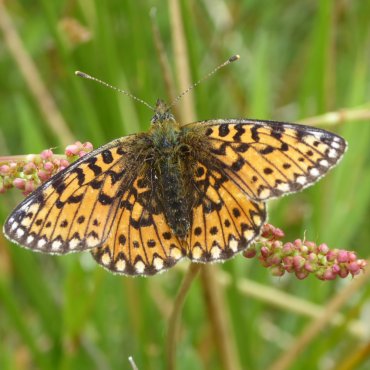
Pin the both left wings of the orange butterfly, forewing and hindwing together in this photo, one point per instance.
(100, 202)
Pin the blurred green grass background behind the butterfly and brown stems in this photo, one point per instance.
(298, 59)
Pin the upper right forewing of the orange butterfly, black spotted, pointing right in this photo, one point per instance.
(268, 159)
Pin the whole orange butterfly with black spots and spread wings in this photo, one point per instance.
(143, 202)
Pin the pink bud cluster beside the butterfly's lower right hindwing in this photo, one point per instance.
(303, 257)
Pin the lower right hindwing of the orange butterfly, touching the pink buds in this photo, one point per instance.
(224, 220)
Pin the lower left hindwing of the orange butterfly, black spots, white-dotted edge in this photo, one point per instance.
(140, 241)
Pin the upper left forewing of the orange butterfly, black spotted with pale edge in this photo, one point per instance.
(74, 210)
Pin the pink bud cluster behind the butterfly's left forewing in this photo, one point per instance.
(26, 173)
